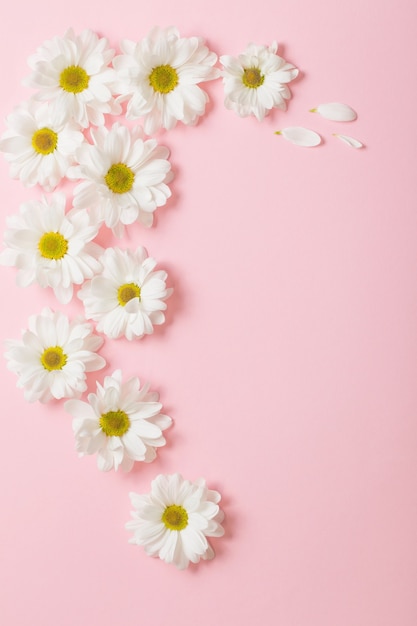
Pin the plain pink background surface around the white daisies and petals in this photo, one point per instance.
(288, 361)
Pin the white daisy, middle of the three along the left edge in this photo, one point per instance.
(50, 247)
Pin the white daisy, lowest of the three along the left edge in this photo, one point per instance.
(53, 356)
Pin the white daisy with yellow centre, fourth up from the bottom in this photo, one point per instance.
(127, 298)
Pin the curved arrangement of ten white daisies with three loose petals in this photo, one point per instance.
(72, 130)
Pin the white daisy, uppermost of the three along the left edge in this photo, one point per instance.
(39, 145)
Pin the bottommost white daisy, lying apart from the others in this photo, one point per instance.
(175, 519)
